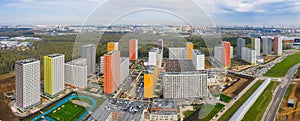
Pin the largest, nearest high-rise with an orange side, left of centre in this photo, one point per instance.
(111, 71)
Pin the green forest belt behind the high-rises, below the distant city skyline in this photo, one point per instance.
(64, 45)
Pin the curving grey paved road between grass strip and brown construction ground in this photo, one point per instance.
(278, 96)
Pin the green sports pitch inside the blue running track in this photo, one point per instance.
(67, 112)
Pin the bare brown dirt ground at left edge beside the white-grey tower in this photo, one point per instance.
(7, 84)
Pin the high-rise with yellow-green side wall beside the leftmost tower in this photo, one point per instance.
(54, 74)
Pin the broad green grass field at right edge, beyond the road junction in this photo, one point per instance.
(280, 69)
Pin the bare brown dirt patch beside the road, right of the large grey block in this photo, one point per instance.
(237, 87)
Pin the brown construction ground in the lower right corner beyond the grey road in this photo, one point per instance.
(290, 109)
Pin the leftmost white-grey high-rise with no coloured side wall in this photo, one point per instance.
(27, 92)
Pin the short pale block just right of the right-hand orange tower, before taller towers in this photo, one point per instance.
(249, 55)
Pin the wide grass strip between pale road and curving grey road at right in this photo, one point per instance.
(257, 110)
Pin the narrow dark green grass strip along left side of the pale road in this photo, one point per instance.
(227, 115)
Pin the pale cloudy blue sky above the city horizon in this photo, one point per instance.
(219, 12)
